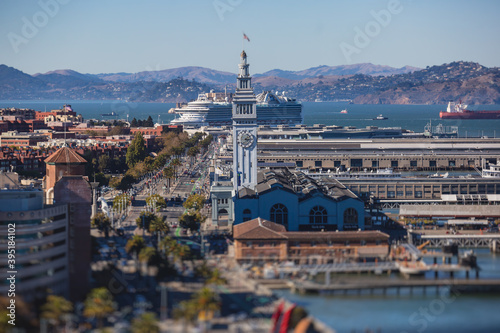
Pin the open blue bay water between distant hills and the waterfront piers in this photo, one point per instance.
(410, 117)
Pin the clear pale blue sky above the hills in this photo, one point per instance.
(107, 36)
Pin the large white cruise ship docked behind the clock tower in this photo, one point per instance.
(272, 109)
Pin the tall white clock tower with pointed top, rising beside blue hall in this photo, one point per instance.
(244, 130)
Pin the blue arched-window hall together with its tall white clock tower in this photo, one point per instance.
(288, 198)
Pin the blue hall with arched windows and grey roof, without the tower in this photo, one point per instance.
(300, 203)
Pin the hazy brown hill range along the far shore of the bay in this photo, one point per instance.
(361, 83)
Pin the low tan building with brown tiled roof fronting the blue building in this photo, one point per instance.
(261, 240)
